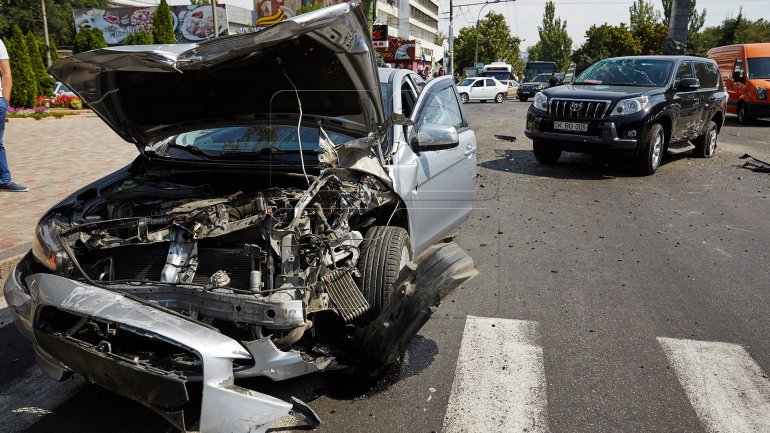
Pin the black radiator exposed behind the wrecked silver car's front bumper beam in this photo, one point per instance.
(145, 262)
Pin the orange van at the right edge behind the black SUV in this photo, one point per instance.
(745, 70)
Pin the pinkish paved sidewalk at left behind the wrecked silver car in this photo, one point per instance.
(53, 157)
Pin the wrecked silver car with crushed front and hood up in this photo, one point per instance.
(289, 212)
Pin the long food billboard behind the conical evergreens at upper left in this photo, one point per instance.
(191, 23)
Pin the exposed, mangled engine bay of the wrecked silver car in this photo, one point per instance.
(253, 264)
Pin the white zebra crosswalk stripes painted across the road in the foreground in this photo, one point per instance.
(500, 384)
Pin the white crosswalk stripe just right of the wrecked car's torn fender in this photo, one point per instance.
(499, 383)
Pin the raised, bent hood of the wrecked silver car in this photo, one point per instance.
(147, 92)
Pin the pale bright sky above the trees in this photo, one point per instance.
(524, 16)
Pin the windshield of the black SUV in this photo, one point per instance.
(628, 72)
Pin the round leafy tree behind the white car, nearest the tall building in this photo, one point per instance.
(494, 41)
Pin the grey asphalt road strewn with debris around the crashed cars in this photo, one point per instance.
(617, 280)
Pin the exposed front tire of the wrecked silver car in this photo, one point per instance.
(384, 251)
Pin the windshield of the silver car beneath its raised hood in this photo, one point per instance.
(242, 141)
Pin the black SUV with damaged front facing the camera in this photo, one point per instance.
(640, 106)
